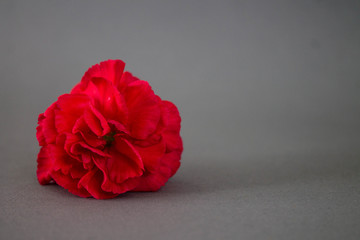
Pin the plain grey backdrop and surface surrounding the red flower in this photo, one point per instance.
(269, 96)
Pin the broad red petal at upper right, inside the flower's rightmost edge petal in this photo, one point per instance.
(144, 109)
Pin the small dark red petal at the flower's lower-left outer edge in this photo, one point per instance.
(45, 164)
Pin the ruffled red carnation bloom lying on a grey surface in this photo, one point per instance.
(110, 135)
